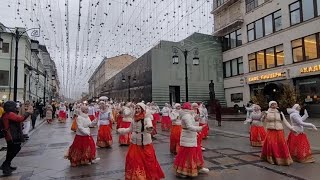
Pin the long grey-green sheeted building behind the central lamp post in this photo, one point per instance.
(154, 77)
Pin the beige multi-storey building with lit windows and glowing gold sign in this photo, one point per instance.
(268, 43)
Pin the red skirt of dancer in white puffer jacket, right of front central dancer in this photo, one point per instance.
(187, 162)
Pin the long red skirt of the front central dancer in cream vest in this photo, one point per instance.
(142, 163)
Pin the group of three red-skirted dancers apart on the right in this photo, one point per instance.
(275, 148)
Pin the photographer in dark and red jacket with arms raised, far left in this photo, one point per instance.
(13, 133)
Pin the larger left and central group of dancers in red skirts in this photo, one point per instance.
(136, 125)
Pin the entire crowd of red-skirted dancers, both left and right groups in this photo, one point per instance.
(136, 125)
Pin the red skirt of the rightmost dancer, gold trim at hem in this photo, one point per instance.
(299, 148)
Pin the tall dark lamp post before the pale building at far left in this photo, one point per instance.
(17, 36)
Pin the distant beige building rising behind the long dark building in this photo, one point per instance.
(106, 70)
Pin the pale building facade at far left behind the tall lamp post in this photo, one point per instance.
(33, 78)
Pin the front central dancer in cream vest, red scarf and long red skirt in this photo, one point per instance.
(141, 160)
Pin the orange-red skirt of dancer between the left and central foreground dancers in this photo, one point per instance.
(104, 138)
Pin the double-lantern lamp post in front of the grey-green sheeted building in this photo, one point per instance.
(175, 60)
